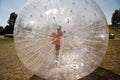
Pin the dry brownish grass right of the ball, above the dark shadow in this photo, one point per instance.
(112, 59)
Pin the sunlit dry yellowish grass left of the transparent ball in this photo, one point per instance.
(10, 66)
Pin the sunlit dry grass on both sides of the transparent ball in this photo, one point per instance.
(11, 67)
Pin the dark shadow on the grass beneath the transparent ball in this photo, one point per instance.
(98, 74)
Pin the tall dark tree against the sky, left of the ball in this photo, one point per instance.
(11, 22)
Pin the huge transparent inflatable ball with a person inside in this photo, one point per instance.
(61, 39)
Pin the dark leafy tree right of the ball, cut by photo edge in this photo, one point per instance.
(116, 18)
